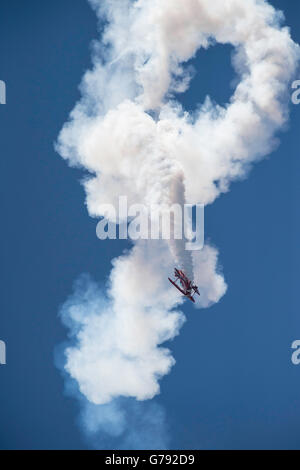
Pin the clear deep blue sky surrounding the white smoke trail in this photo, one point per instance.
(233, 385)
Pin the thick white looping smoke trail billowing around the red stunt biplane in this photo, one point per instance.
(135, 139)
